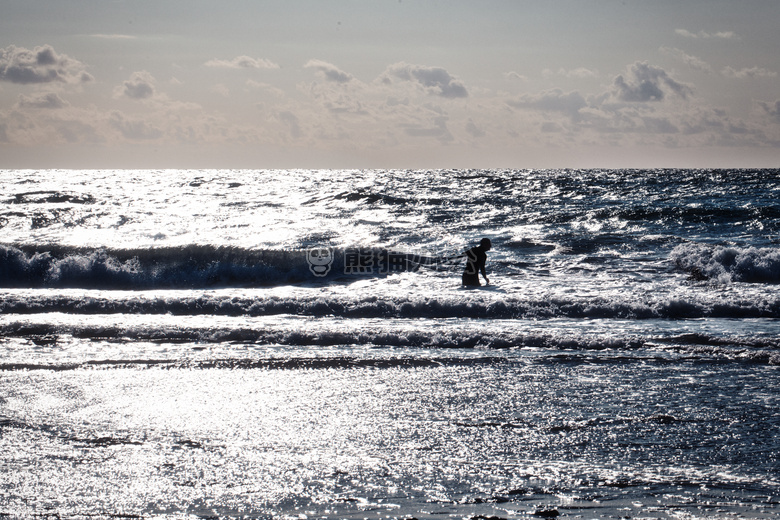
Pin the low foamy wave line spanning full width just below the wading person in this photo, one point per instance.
(482, 306)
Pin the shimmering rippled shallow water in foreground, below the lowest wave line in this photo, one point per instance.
(463, 434)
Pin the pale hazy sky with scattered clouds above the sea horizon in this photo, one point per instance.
(389, 83)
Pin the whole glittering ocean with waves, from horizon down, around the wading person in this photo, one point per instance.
(297, 344)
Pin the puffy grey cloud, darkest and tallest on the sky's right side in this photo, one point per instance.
(646, 83)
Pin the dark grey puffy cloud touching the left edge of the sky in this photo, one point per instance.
(40, 65)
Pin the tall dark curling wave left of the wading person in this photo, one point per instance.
(192, 266)
